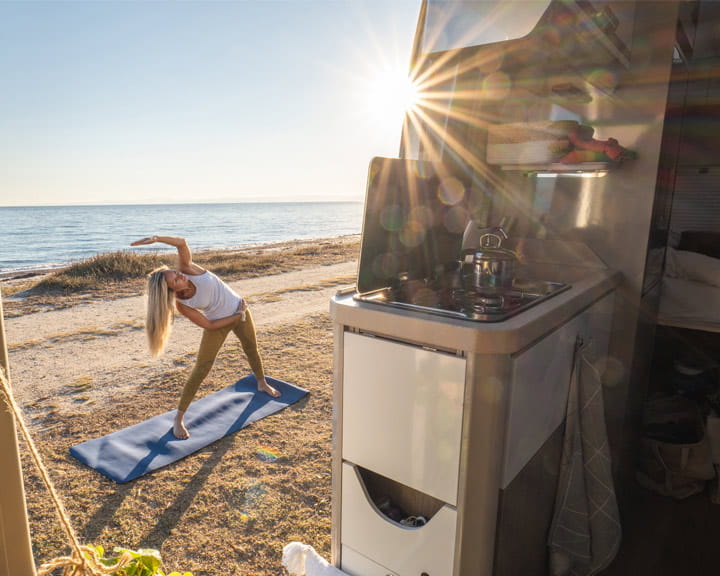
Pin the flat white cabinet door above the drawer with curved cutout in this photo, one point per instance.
(402, 413)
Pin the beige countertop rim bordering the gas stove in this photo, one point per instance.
(513, 335)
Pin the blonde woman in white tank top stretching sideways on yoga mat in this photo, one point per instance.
(207, 301)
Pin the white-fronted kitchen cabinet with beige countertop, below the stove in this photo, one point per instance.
(459, 425)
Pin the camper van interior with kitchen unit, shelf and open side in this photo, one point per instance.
(526, 371)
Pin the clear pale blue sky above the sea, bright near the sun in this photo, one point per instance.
(150, 101)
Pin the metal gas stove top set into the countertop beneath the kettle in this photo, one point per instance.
(457, 301)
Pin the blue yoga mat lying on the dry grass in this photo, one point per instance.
(131, 452)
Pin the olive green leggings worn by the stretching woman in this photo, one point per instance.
(212, 341)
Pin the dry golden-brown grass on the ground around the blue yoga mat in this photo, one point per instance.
(226, 510)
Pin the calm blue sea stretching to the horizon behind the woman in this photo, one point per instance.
(46, 237)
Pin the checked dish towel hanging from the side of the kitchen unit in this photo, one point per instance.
(585, 532)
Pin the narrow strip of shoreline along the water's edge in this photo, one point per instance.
(25, 274)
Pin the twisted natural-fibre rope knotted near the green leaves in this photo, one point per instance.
(84, 560)
